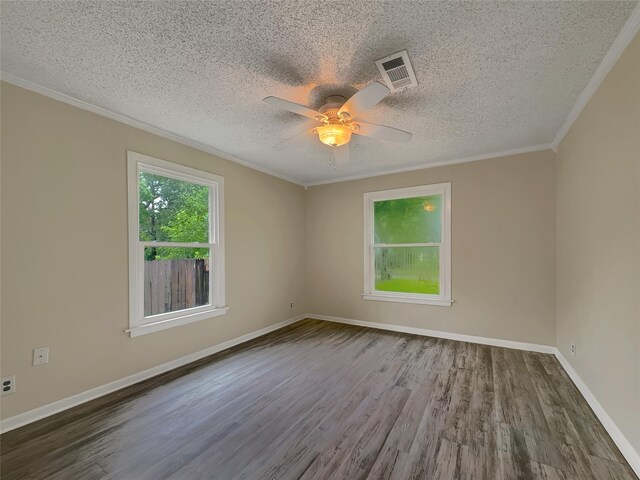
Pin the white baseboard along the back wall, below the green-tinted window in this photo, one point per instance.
(496, 342)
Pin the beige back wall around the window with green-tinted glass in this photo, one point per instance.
(503, 250)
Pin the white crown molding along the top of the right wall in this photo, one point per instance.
(621, 42)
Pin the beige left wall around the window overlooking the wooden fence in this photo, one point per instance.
(64, 250)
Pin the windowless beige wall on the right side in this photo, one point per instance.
(598, 248)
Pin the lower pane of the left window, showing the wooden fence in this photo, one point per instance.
(175, 278)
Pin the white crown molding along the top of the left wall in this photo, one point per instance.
(132, 122)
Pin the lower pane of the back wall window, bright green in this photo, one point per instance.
(408, 269)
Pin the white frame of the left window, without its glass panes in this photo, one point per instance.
(138, 323)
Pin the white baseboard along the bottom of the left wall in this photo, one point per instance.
(80, 398)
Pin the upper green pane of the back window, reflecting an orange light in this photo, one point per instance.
(408, 220)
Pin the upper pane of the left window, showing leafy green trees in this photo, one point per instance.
(172, 210)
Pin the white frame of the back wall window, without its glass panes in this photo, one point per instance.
(370, 293)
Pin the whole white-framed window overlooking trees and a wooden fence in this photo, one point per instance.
(176, 253)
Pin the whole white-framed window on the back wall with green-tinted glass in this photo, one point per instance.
(408, 245)
